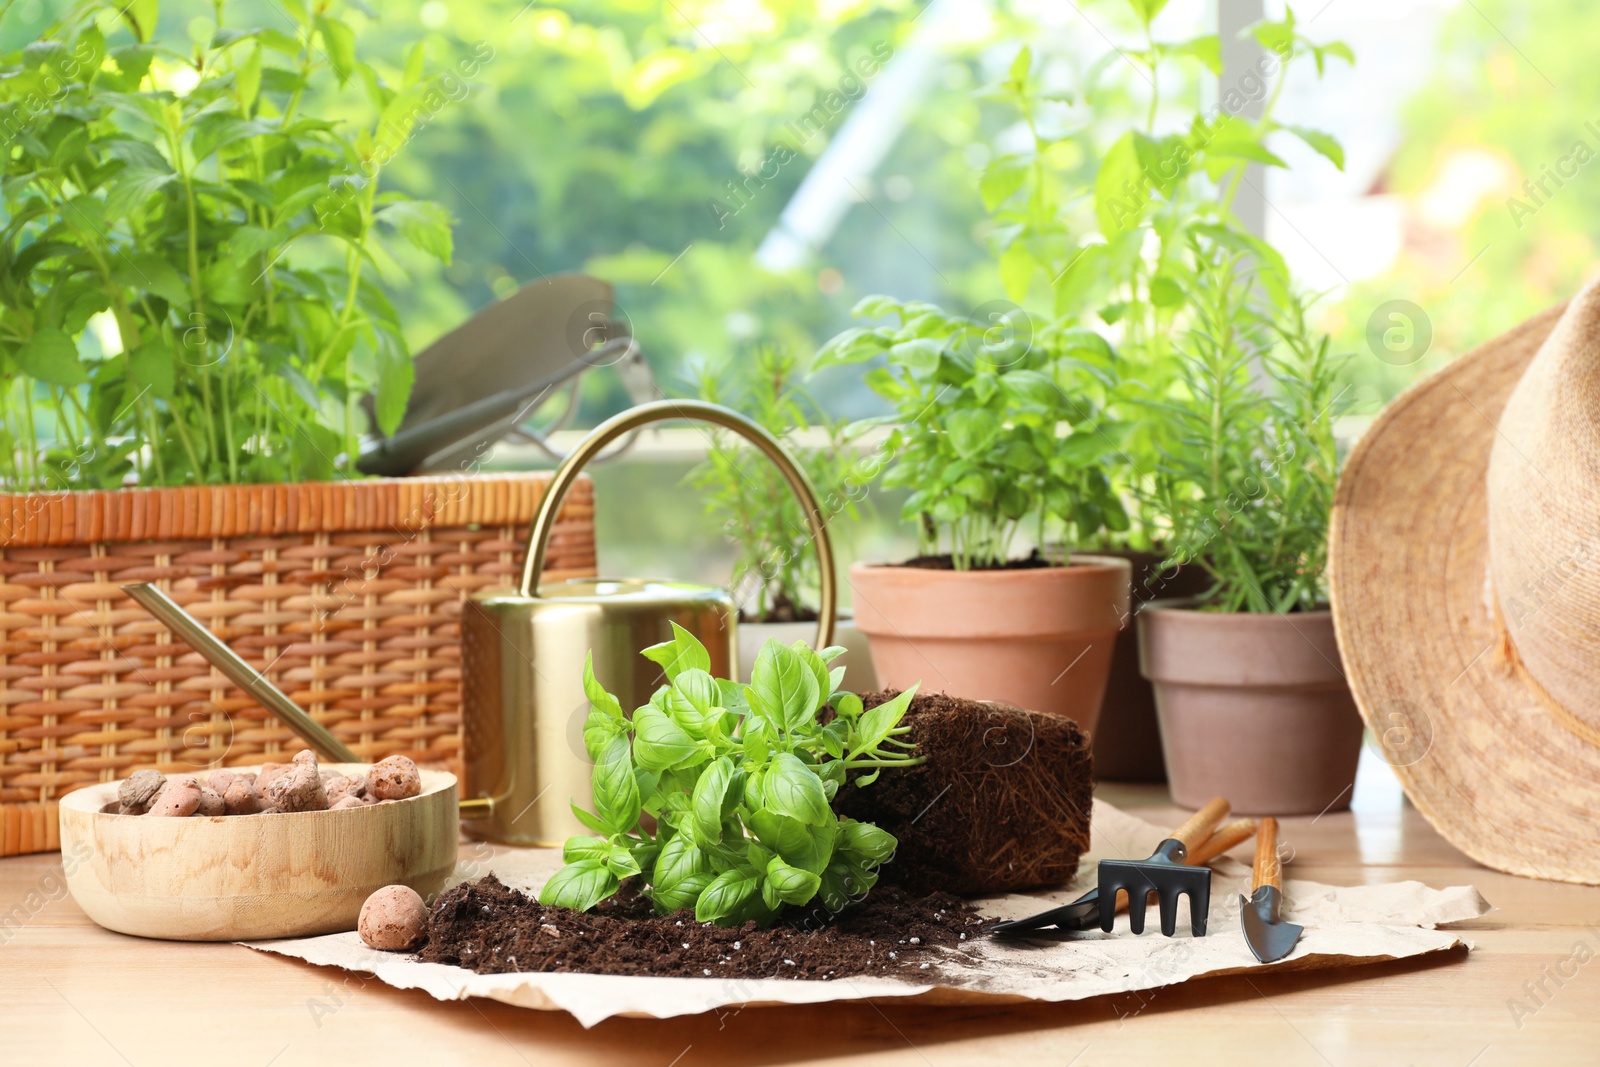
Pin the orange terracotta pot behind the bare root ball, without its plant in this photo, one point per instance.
(1039, 637)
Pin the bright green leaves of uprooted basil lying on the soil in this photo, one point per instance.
(738, 781)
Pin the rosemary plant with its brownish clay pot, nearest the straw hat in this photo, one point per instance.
(1252, 700)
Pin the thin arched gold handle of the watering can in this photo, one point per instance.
(698, 410)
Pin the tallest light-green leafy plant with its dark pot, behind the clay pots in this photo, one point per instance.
(1094, 214)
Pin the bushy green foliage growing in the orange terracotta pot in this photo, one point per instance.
(996, 431)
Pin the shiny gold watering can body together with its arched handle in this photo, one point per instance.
(522, 653)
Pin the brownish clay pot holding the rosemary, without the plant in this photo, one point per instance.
(1254, 708)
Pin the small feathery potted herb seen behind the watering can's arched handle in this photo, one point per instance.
(775, 572)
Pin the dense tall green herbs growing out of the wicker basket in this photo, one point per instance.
(190, 260)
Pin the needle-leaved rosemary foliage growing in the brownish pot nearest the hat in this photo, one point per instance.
(1249, 479)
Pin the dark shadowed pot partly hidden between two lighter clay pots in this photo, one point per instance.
(1129, 741)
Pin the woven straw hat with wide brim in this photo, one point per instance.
(1465, 565)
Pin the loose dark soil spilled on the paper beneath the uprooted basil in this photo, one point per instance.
(492, 930)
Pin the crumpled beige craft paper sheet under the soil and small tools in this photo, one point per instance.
(1345, 927)
